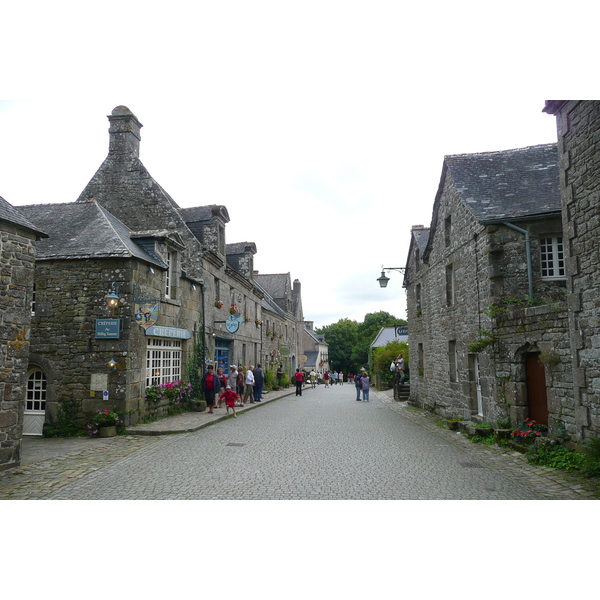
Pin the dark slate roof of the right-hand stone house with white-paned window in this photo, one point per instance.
(508, 184)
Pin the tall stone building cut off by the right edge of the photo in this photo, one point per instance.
(578, 126)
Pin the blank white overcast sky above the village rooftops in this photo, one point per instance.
(321, 126)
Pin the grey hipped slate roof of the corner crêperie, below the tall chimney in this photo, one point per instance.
(83, 230)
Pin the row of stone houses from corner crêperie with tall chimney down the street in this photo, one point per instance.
(186, 298)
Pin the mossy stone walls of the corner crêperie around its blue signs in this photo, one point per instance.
(70, 296)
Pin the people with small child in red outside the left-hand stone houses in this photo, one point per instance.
(235, 389)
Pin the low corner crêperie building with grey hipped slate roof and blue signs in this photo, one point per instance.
(97, 354)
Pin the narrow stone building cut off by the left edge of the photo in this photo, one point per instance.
(18, 238)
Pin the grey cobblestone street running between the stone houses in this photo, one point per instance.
(323, 445)
